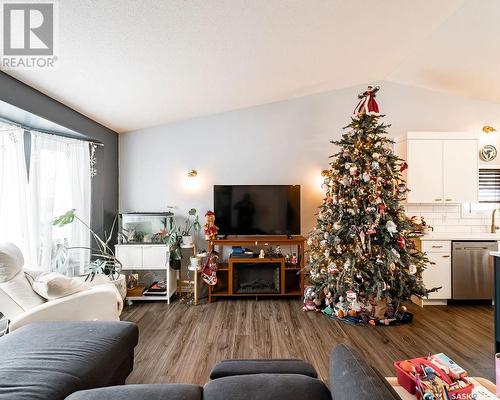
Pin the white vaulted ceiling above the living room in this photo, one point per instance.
(130, 64)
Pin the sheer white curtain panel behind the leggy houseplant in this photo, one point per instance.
(59, 180)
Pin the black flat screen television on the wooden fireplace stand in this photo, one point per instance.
(257, 209)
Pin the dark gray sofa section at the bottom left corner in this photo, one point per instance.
(51, 360)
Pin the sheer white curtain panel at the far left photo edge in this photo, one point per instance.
(15, 224)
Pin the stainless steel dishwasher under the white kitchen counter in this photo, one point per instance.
(472, 270)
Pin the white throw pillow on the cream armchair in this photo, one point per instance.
(53, 285)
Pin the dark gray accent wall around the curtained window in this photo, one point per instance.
(105, 184)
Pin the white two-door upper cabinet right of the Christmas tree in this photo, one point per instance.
(442, 166)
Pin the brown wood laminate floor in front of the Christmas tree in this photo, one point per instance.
(181, 343)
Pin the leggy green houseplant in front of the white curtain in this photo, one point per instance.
(104, 260)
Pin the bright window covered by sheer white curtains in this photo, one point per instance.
(58, 180)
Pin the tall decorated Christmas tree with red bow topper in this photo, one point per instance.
(362, 256)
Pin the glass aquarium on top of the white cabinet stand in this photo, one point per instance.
(138, 228)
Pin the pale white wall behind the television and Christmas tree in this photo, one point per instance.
(279, 143)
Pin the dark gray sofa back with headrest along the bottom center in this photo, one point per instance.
(351, 378)
